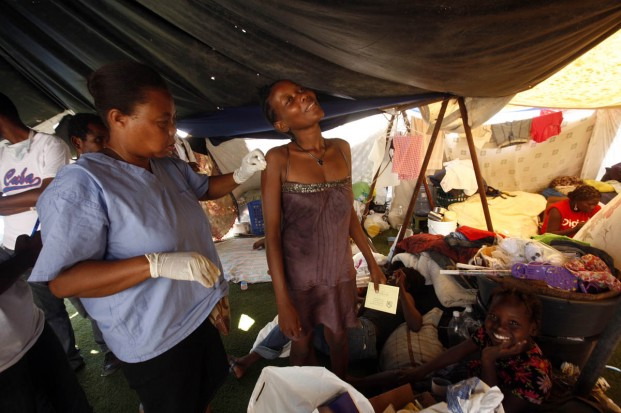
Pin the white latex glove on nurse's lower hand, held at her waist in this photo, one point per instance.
(190, 266)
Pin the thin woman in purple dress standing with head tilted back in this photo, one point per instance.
(309, 218)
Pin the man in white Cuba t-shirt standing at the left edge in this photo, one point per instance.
(29, 160)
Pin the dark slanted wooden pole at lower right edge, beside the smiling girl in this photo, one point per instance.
(604, 348)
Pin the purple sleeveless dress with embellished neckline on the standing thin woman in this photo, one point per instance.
(317, 256)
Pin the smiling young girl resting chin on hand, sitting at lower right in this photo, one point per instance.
(510, 359)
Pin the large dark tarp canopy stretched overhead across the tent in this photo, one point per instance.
(215, 54)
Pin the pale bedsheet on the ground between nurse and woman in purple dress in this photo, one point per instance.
(240, 262)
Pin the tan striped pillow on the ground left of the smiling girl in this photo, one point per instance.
(406, 348)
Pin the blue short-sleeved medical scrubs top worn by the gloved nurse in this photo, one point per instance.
(103, 209)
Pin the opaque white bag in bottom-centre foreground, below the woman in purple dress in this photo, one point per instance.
(300, 389)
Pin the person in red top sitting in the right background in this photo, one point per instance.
(568, 216)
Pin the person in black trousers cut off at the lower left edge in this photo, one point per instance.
(35, 374)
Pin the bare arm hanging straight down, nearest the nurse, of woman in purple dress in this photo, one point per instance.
(271, 183)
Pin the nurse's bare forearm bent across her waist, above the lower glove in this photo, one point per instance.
(100, 278)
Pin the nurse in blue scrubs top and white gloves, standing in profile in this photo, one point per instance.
(123, 230)
